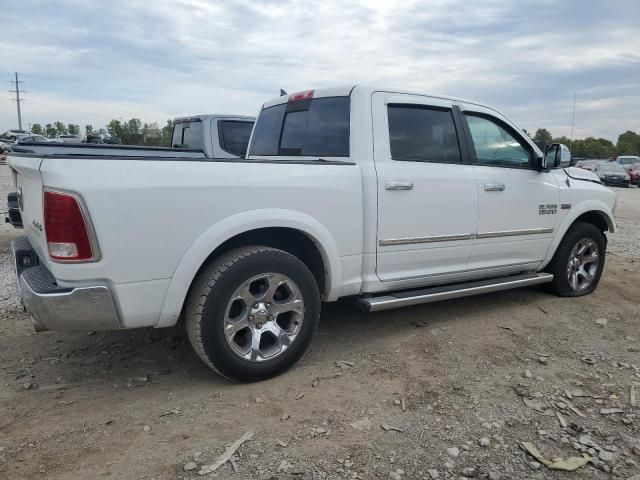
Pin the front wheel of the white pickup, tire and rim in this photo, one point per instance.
(579, 260)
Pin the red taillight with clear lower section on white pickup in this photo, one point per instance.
(65, 227)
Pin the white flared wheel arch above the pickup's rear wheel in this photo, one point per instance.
(291, 231)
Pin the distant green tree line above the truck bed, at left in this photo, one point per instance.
(130, 132)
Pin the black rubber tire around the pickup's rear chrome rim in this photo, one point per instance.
(209, 299)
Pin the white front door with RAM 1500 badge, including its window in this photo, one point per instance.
(518, 204)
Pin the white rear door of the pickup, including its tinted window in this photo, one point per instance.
(427, 190)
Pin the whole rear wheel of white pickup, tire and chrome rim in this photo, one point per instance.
(251, 313)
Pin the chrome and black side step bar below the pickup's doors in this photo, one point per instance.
(435, 294)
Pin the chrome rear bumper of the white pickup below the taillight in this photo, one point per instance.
(53, 307)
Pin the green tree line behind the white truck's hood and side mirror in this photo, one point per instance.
(628, 144)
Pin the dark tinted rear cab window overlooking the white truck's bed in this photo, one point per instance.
(310, 127)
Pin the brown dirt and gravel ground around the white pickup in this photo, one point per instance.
(448, 381)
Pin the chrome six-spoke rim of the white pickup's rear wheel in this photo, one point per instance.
(263, 317)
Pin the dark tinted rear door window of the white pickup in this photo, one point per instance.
(423, 134)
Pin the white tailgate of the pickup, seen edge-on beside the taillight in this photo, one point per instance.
(29, 185)
